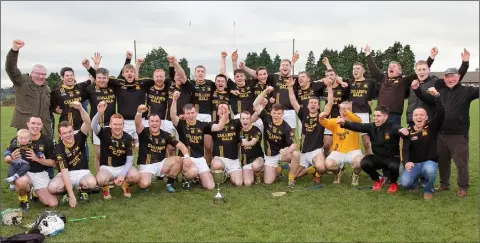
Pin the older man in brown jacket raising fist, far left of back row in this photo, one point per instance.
(32, 94)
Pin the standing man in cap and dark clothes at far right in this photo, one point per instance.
(453, 139)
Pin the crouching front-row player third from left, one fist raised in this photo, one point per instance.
(116, 156)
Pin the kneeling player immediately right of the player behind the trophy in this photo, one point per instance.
(251, 150)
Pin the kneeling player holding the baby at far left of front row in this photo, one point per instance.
(37, 177)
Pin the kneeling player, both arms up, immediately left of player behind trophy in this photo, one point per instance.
(195, 131)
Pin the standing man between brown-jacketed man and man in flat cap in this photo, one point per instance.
(422, 71)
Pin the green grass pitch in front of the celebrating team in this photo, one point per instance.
(334, 213)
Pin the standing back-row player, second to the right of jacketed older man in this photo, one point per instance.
(96, 94)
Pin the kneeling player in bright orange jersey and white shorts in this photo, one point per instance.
(346, 145)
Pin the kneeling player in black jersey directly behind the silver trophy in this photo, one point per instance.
(226, 148)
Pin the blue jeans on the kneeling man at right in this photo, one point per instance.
(427, 169)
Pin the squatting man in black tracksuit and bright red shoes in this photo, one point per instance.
(385, 138)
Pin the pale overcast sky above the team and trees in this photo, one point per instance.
(59, 34)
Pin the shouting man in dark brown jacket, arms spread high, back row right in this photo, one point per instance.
(393, 85)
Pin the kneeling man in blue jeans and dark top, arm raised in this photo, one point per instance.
(420, 147)
